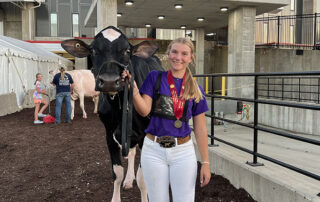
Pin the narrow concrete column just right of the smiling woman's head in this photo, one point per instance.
(199, 54)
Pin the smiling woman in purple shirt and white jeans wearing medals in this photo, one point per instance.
(168, 155)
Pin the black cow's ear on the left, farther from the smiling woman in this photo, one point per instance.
(76, 47)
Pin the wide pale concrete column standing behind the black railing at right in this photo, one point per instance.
(241, 51)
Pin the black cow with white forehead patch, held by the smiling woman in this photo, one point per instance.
(111, 53)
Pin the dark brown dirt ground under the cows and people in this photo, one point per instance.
(70, 162)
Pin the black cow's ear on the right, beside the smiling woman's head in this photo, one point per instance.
(145, 49)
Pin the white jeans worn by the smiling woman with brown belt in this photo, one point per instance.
(161, 166)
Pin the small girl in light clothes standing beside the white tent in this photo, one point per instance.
(38, 99)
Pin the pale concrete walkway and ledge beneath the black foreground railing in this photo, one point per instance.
(270, 182)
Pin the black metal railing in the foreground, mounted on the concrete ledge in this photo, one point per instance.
(256, 126)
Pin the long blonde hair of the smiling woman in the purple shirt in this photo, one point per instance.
(191, 88)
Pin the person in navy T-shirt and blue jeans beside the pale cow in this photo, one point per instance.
(64, 86)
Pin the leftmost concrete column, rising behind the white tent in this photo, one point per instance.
(28, 21)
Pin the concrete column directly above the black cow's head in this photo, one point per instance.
(106, 14)
